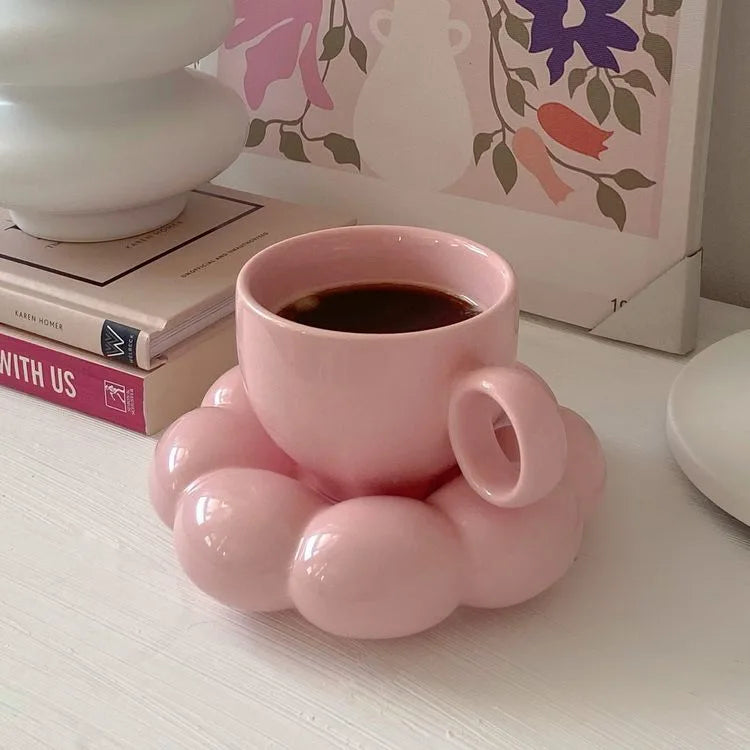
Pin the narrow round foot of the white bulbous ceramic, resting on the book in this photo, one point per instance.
(99, 227)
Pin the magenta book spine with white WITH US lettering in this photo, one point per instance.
(75, 383)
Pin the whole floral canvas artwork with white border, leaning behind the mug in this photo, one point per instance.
(569, 135)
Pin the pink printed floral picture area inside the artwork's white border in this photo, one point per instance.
(557, 107)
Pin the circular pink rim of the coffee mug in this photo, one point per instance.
(244, 296)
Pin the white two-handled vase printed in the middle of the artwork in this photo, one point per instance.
(412, 121)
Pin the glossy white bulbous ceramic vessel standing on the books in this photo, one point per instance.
(103, 132)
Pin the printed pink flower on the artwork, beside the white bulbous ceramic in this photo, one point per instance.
(282, 35)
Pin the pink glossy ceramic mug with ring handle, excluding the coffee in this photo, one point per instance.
(367, 414)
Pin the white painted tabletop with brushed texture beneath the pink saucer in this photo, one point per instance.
(645, 644)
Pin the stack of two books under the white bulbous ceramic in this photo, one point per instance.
(135, 331)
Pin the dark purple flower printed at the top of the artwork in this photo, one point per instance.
(597, 34)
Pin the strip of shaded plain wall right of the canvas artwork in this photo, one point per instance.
(726, 227)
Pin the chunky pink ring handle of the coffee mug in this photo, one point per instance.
(531, 411)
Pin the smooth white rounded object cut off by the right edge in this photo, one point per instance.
(708, 424)
